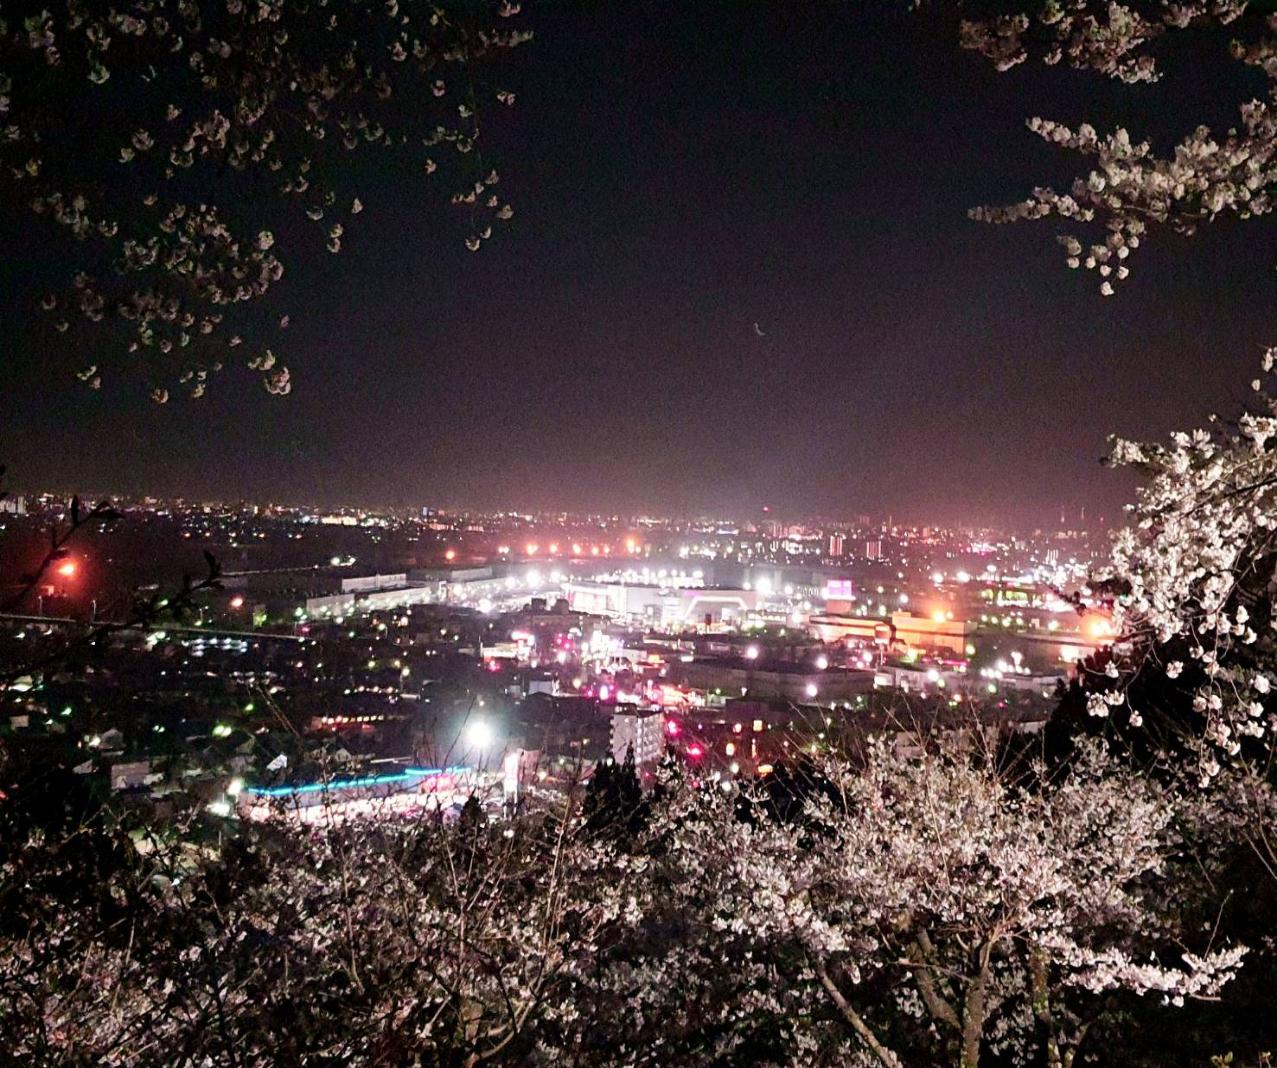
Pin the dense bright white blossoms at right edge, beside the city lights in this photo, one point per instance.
(1197, 574)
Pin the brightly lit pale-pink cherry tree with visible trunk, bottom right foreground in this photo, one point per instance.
(992, 910)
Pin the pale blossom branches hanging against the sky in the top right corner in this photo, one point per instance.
(1130, 188)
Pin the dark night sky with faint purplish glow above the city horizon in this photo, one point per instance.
(681, 172)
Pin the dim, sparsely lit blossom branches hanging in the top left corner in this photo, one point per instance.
(177, 141)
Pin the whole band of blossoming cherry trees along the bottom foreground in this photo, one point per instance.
(979, 913)
